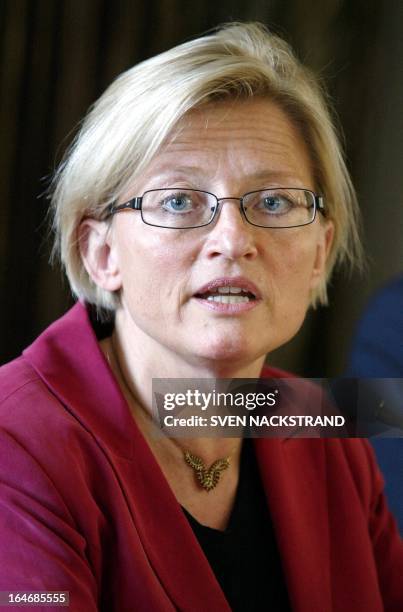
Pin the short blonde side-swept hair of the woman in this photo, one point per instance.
(126, 127)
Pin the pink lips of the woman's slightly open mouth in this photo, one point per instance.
(226, 281)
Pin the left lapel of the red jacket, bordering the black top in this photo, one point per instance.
(168, 540)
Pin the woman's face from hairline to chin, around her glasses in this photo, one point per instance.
(229, 150)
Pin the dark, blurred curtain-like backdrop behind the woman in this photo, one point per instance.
(58, 56)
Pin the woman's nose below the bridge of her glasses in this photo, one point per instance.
(231, 236)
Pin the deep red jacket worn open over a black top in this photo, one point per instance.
(85, 508)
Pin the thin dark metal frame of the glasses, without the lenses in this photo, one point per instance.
(136, 204)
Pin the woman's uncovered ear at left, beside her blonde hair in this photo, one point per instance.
(98, 254)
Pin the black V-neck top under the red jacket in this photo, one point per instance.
(245, 558)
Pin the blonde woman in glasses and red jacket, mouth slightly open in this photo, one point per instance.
(199, 213)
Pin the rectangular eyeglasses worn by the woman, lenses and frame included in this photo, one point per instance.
(176, 208)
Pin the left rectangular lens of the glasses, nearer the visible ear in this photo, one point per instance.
(178, 208)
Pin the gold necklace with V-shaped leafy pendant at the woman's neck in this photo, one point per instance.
(207, 478)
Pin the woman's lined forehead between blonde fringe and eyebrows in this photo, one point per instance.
(252, 140)
